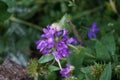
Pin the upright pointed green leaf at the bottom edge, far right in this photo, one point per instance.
(106, 74)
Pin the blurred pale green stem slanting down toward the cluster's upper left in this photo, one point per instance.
(25, 23)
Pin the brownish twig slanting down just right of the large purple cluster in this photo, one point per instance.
(74, 31)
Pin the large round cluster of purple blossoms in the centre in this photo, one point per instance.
(55, 42)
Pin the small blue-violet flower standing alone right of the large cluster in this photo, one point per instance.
(93, 30)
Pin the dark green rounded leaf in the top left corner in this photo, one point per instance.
(4, 15)
